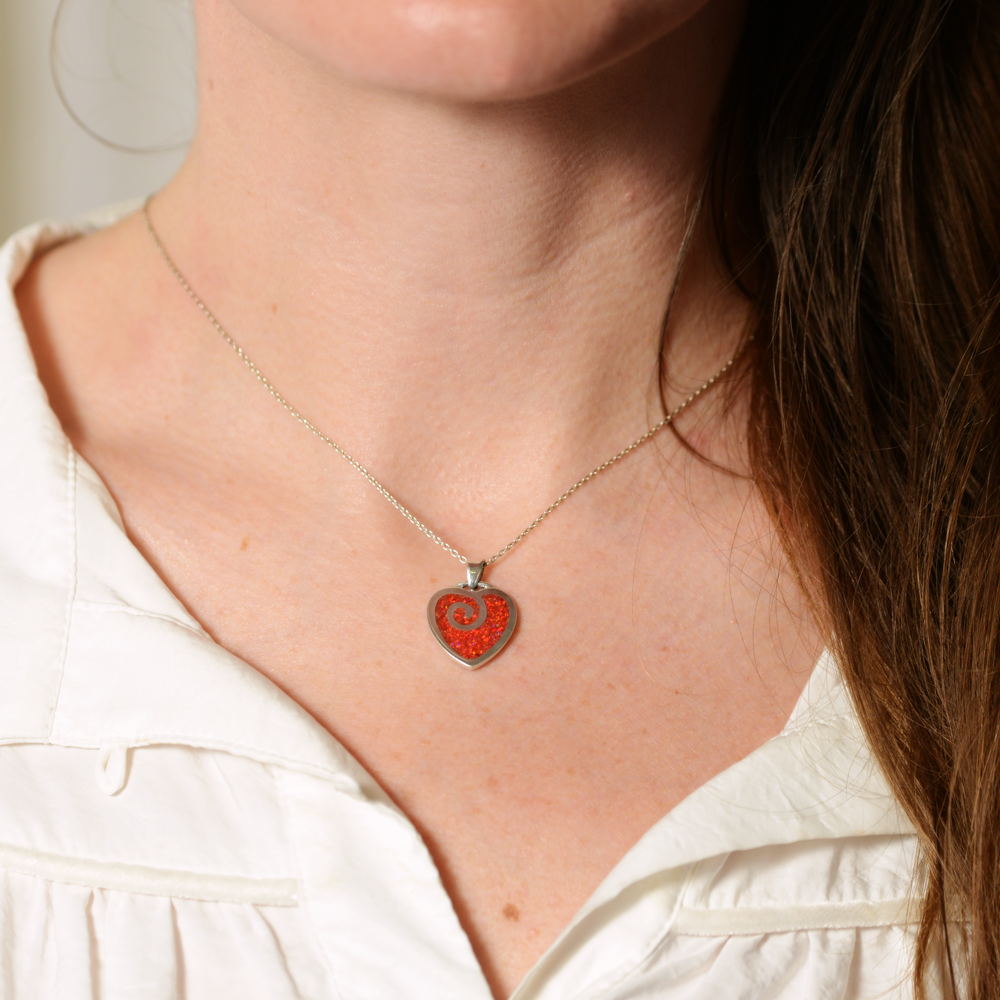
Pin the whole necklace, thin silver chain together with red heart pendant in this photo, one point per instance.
(473, 621)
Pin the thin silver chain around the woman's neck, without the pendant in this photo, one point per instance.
(412, 518)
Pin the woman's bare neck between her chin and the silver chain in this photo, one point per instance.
(396, 263)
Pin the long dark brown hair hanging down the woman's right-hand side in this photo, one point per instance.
(867, 134)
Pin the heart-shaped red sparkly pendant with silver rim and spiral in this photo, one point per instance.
(472, 622)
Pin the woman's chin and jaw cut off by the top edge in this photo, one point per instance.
(464, 50)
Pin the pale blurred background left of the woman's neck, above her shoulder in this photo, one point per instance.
(127, 72)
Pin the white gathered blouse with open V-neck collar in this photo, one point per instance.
(174, 826)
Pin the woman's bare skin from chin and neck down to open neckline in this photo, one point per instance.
(446, 232)
